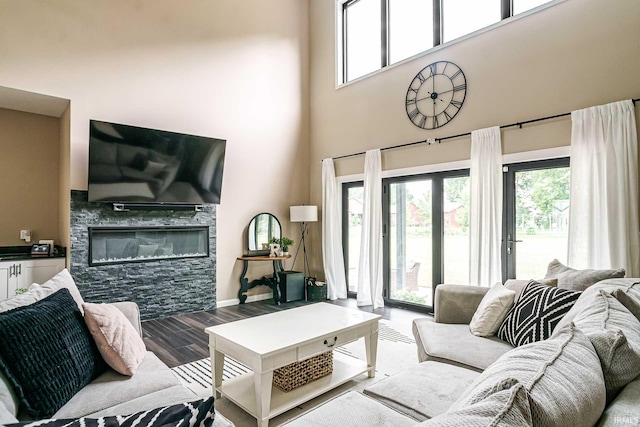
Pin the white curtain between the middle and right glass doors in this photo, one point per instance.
(485, 218)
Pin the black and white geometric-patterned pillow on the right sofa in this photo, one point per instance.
(536, 313)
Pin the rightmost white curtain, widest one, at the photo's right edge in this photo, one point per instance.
(603, 217)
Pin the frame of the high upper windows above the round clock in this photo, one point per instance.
(342, 6)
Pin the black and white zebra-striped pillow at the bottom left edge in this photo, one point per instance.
(199, 413)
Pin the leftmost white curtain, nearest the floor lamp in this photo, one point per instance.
(331, 233)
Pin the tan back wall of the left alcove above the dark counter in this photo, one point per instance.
(29, 164)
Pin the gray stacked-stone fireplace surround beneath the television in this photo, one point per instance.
(161, 288)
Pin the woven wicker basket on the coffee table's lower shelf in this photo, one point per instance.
(300, 373)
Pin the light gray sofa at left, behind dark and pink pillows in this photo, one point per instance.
(153, 385)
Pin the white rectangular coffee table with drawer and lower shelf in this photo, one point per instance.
(268, 342)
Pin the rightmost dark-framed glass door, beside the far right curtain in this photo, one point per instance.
(536, 217)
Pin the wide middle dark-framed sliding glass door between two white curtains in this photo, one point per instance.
(426, 235)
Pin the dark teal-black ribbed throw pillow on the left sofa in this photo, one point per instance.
(47, 353)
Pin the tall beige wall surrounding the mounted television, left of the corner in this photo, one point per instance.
(222, 68)
